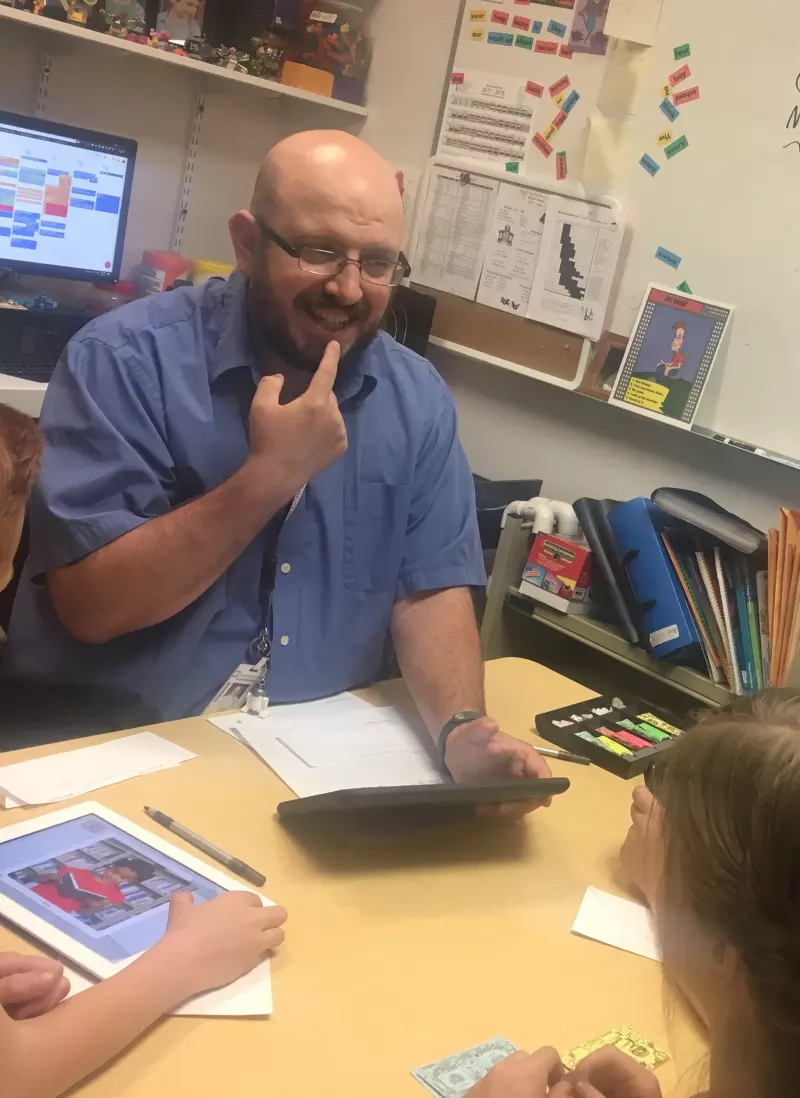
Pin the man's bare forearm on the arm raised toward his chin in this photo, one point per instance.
(157, 570)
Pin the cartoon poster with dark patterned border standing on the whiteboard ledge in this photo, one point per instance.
(669, 361)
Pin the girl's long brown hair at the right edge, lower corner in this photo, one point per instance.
(730, 796)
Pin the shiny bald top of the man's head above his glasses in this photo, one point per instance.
(325, 166)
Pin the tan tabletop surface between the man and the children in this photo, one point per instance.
(400, 950)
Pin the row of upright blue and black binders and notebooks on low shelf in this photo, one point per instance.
(689, 582)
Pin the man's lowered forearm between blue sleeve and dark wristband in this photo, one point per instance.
(438, 649)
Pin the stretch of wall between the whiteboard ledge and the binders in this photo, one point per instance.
(513, 428)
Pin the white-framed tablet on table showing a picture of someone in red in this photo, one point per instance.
(96, 888)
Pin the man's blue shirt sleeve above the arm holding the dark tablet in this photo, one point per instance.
(443, 547)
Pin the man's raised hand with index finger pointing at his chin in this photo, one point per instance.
(297, 442)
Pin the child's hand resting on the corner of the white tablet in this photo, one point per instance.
(212, 945)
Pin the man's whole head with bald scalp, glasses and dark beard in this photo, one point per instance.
(321, 248)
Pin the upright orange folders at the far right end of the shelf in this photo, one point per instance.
(784, 596)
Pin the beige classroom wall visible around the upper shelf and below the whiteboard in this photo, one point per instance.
(511, 425)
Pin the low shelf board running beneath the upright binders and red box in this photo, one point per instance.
(605, 638)
